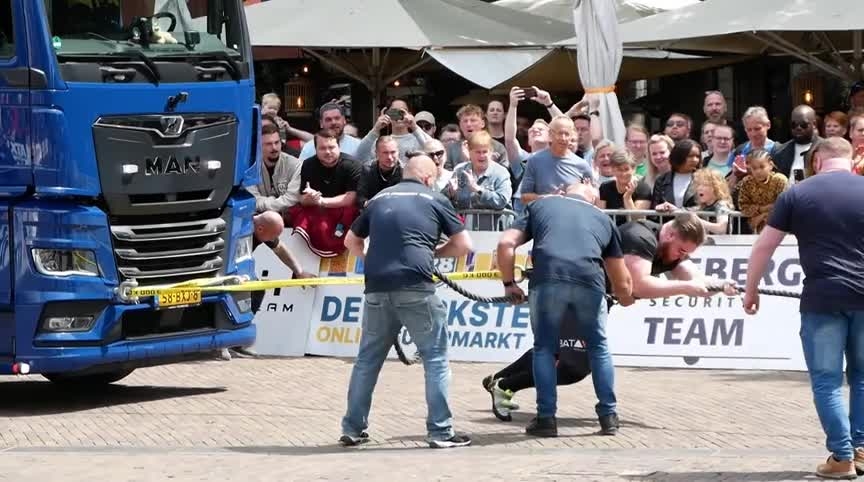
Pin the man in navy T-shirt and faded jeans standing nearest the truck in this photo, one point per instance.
(404, 224)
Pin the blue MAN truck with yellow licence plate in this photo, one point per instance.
(128, 131)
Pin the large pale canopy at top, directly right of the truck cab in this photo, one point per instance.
(411, 24)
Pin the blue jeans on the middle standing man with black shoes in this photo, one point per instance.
(586, 307)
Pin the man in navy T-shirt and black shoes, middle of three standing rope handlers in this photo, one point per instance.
(573, 242)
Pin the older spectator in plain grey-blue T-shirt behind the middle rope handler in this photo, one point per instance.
(551, 170)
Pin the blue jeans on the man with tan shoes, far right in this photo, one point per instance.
(825, 337)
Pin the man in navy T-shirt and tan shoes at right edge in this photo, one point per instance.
(824, 213)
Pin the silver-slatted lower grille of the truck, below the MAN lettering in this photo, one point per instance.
(170, 252)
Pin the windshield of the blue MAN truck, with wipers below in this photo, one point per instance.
(155, 28)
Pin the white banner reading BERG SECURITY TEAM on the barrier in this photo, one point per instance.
(715, 332)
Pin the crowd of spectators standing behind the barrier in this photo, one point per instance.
(495, 161)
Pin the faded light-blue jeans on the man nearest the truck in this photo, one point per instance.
(424, 315)
